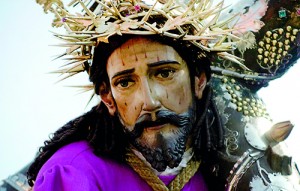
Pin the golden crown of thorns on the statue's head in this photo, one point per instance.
(96, 20)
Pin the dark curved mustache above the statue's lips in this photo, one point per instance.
(162, 117)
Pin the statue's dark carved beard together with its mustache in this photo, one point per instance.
(168, 150)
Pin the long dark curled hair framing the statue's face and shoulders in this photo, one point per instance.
(104, 132)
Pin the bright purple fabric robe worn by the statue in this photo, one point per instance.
(75, 168)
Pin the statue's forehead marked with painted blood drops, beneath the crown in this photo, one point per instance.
(139, 51)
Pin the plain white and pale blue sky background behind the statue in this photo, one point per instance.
(32, 105)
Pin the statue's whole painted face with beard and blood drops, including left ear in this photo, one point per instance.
(150, 91)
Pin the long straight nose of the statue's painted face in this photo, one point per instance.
(151, 101)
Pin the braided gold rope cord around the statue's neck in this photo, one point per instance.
(156, 184)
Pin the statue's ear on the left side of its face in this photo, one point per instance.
(107, 98)
